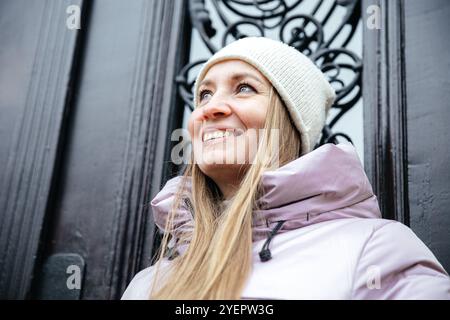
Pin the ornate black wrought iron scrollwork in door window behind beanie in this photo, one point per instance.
(304, 31)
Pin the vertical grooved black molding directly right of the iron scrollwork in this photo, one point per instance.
(384, 95)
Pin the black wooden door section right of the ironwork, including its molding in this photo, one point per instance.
(407, 116)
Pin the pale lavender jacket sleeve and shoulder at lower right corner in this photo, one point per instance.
(396, 264)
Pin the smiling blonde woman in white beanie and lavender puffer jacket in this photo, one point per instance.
(259, 214)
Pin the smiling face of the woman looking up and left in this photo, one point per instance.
(232, 102)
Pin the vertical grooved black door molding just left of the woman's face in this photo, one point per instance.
(155, 111)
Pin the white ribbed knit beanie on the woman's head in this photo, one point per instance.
(301, 85)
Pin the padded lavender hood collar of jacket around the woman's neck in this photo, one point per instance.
(325, 184)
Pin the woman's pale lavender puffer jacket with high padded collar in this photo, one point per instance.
(329, 240)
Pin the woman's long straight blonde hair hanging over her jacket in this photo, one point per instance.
(218, 259)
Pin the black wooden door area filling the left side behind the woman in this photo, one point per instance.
(85, 122)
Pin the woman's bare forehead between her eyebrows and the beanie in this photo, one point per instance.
(229, 68)
